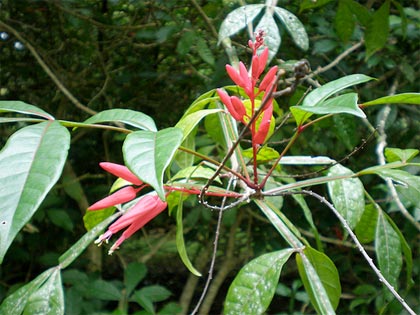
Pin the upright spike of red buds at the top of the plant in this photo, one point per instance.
(248, 81)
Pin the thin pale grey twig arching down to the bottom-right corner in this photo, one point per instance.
(359, 246)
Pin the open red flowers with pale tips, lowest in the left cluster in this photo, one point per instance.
(148, 207)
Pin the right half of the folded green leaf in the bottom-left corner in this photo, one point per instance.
(47, 299)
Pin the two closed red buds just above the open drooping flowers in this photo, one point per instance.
(124, 194)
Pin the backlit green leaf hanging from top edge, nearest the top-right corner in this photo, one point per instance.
(377, 30)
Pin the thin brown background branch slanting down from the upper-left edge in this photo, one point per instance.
(47, 70)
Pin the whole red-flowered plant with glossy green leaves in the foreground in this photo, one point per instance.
(250, 171)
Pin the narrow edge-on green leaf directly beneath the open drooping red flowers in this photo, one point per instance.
(73, 252)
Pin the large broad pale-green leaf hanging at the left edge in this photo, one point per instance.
(31, 162)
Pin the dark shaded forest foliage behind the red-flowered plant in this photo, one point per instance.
(75, 58)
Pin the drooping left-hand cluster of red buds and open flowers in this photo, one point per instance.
(145, 209)
